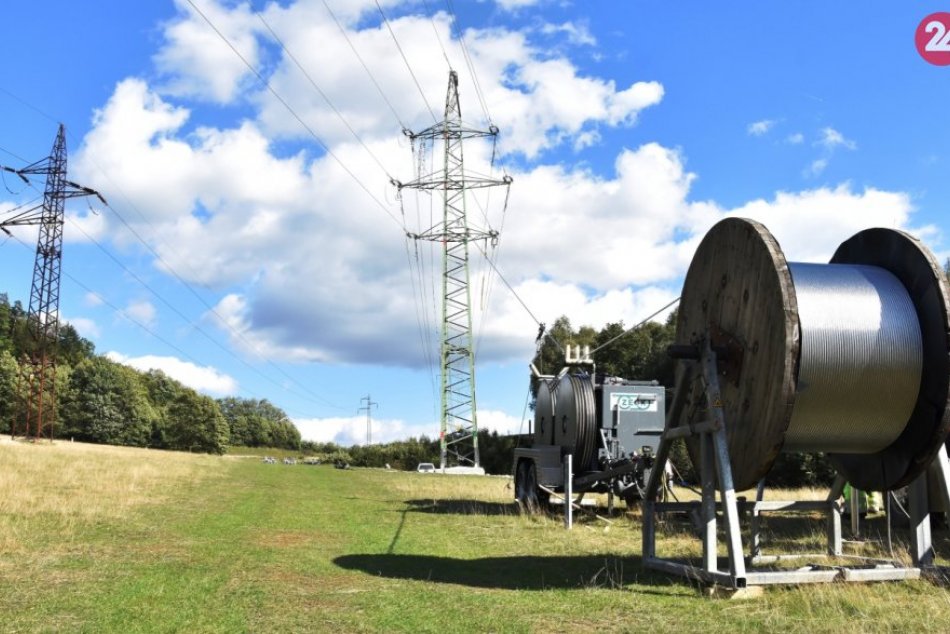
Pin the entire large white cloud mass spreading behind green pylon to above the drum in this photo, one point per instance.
(311, 269)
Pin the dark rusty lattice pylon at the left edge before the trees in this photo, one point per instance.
(38, 369)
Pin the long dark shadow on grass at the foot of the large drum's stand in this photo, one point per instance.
(510, 573)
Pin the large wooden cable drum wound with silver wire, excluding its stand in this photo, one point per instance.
(851, 358)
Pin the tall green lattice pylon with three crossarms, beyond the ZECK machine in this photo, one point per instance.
(458, 437)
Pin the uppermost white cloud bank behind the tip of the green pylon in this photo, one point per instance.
(540, 95)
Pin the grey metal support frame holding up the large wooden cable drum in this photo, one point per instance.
(716, 481)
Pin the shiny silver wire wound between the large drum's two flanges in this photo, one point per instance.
(861, 359)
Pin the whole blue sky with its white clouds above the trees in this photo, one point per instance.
(240, 257)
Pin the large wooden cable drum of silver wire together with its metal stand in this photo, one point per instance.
(850, 358)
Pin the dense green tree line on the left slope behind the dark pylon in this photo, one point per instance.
(105, 402)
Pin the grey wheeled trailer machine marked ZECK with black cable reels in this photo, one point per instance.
(605, 430)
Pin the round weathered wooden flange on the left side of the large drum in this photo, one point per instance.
(738, 289)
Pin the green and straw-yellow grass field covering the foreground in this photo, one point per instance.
(121, 540)
